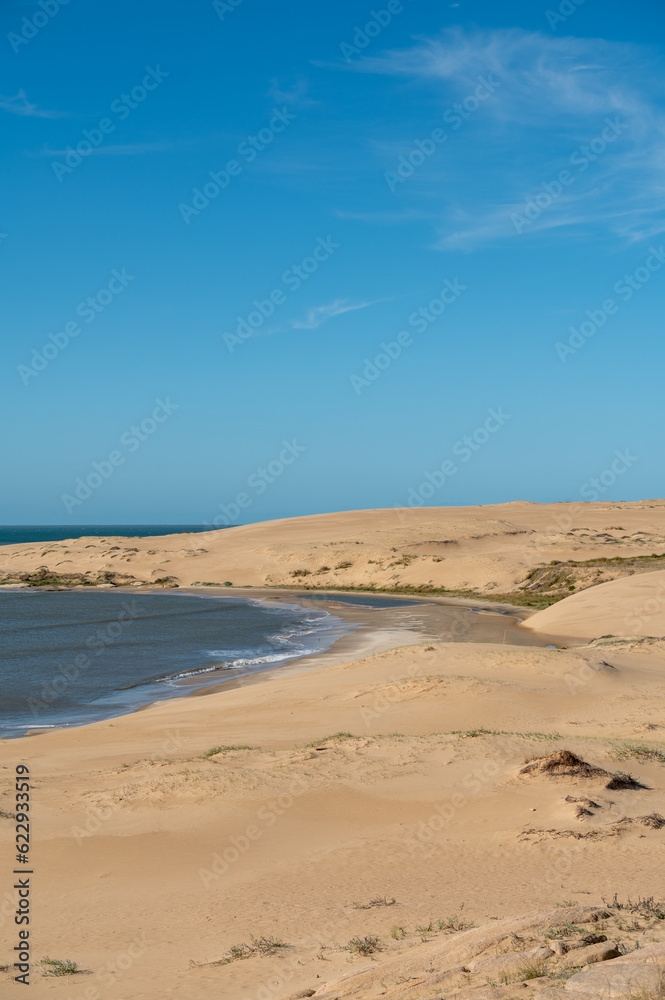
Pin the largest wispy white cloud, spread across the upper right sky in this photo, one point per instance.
(555, 94)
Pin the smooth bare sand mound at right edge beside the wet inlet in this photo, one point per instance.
(634, 606)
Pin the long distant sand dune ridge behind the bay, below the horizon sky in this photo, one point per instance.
(484, 549)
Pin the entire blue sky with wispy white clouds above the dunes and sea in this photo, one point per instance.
(260, 262)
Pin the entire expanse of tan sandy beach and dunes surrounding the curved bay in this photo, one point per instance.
(375, 791)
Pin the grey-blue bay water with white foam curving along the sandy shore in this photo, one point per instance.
(75, 657)
